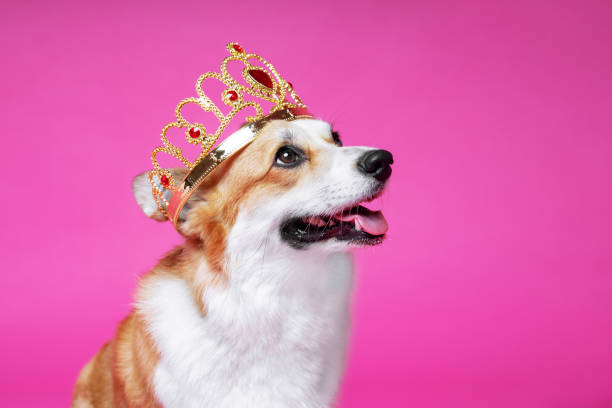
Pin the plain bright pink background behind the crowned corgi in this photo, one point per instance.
(494, 288)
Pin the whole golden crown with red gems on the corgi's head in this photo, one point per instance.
(263, 83)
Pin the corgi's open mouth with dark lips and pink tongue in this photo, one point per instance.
(355, 224)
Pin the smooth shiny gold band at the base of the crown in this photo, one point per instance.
(224, 151)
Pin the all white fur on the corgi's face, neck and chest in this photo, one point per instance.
(275, 336)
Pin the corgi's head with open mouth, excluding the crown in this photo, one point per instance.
(295, 184)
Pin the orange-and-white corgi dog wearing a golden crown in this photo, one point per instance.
(253, 309)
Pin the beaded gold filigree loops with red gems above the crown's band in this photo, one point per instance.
(263, 82)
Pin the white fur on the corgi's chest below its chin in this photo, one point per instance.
(274, 337)
